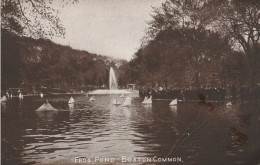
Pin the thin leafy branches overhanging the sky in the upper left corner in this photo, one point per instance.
(33, 18)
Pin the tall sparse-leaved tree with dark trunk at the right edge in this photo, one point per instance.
(240, 21)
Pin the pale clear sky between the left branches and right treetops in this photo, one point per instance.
(106, 27)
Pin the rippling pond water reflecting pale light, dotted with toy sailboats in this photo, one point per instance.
(190, 133)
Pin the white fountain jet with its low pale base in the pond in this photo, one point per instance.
(113, 88)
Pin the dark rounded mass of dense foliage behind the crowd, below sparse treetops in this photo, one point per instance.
(175, 60)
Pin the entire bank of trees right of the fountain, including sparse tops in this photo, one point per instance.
(200, 44)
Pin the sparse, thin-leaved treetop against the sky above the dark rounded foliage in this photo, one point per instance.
(175, 14)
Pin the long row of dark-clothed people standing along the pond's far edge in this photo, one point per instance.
(208, 93)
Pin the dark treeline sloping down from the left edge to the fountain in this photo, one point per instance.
(30, 63)
